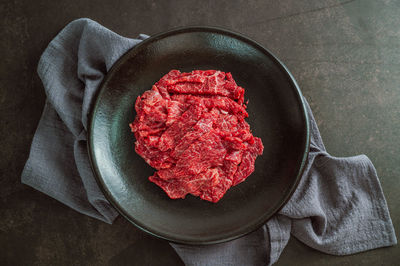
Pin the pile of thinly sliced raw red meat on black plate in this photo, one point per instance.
(191, 128)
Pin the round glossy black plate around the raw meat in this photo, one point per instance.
(277, 115)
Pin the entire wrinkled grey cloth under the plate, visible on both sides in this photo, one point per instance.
(338, 208)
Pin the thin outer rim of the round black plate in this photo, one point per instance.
(90, 144)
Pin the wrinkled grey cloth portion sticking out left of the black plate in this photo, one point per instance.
(71, 68)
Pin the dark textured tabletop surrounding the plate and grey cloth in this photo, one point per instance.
(344, 55)
